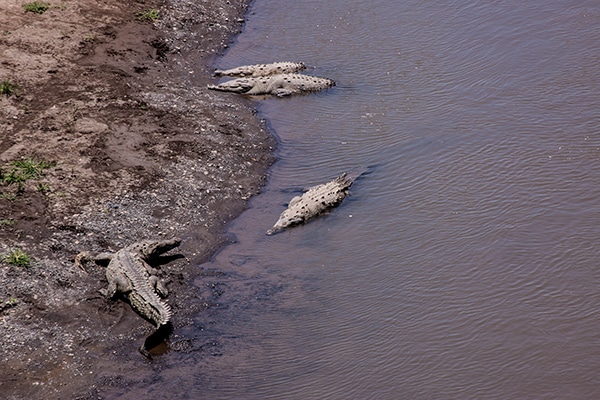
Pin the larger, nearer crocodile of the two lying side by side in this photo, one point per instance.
(277, 85)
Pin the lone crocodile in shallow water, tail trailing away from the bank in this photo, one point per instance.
(315, 201)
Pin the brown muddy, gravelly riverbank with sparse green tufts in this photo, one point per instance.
(137, 148)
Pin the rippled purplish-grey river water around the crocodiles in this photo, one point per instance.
(466, 263)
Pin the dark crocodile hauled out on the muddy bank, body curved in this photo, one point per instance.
(130, 274)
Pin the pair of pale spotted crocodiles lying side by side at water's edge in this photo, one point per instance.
(277, 79)
